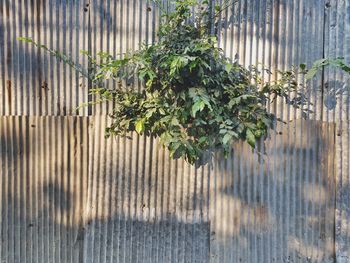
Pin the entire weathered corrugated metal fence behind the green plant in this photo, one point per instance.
(69, 195)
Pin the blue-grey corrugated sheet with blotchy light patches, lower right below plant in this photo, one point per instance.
(287, 201)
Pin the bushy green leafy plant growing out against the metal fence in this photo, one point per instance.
(194, 98)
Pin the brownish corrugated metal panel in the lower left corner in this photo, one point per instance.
(43, 186)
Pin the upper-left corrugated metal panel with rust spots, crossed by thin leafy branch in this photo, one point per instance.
(32, 82)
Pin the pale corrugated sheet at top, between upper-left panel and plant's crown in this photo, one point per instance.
(118, 26)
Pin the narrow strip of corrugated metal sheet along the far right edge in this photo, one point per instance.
(337, 109)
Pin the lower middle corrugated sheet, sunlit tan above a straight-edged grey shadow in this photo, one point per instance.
(142, 206)
